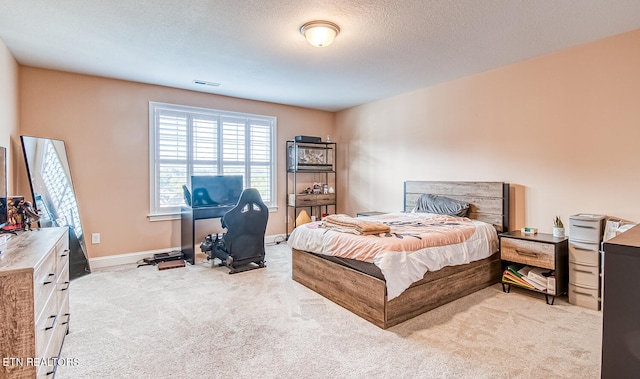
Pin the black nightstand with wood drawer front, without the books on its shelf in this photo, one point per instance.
(541, 251)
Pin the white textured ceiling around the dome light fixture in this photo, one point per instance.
(255, 50)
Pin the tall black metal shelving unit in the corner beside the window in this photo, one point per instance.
(311, 168)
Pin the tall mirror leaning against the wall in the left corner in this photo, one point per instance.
(54, 196)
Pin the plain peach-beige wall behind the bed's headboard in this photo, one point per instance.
(563, 128)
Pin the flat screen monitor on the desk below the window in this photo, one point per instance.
(214, 191)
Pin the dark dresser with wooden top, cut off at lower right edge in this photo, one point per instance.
(620, 310)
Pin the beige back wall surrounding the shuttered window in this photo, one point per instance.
(105, 124)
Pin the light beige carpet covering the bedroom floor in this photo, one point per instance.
(201, 322)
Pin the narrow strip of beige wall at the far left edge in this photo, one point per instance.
(9, 112)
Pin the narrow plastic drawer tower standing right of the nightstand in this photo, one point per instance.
(585, 235)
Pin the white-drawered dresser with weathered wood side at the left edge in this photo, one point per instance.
(34, 302)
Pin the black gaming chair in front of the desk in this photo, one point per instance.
(246, 225)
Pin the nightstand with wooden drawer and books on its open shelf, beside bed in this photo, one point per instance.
(539, 260)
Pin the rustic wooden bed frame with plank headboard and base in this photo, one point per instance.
(366, 295)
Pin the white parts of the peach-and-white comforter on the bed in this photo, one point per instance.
(402, 268)
